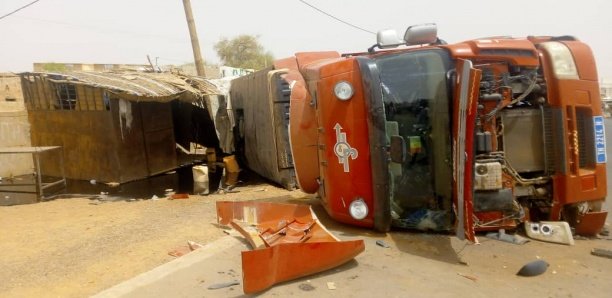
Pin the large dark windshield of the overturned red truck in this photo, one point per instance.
(416, 99)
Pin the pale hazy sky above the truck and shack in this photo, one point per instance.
(125, 31)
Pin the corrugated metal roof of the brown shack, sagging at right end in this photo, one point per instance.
(136, 86)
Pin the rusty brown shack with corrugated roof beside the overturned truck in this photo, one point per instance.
(116, 126)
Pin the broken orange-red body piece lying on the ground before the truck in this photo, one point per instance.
(288, 242)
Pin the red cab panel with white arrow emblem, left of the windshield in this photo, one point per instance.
(344, 144)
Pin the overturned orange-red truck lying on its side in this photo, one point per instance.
(479, 135)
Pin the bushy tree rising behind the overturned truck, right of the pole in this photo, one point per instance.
(243, 51)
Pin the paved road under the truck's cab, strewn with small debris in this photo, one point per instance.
(415, 265)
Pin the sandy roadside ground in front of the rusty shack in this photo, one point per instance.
(78, 247)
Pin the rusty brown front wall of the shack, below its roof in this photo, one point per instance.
(97, 142)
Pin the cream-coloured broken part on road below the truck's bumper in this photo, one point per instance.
(550, 231)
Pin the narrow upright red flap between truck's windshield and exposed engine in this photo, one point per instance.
(464, 120)
